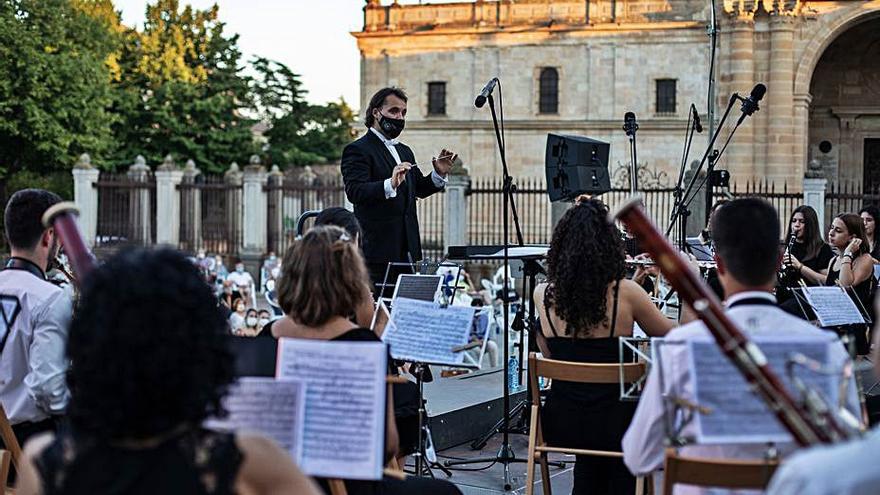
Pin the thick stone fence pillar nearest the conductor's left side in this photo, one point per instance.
(254, 220)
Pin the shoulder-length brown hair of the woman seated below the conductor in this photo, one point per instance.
(322, 275)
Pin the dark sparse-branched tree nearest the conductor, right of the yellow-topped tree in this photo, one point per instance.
(299, 133)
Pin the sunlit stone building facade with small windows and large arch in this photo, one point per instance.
(820, 61)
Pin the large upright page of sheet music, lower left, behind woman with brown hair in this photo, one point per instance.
(344, 430)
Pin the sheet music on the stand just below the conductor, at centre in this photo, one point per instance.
(423, 332)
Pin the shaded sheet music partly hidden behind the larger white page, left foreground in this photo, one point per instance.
(273, 408)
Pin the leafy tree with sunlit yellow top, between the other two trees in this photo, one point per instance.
(181, 91)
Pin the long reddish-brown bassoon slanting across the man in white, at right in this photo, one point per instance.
(807, 429)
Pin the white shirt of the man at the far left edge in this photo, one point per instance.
(33, 363)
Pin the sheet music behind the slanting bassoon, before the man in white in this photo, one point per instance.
(738, 415)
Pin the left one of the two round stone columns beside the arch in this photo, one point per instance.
(739, 159)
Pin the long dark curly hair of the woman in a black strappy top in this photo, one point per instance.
(586, 256)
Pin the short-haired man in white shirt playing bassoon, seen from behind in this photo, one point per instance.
(746, 235)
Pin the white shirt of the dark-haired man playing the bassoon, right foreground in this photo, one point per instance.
(645, 441)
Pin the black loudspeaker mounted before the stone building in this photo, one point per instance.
(576, 165)
